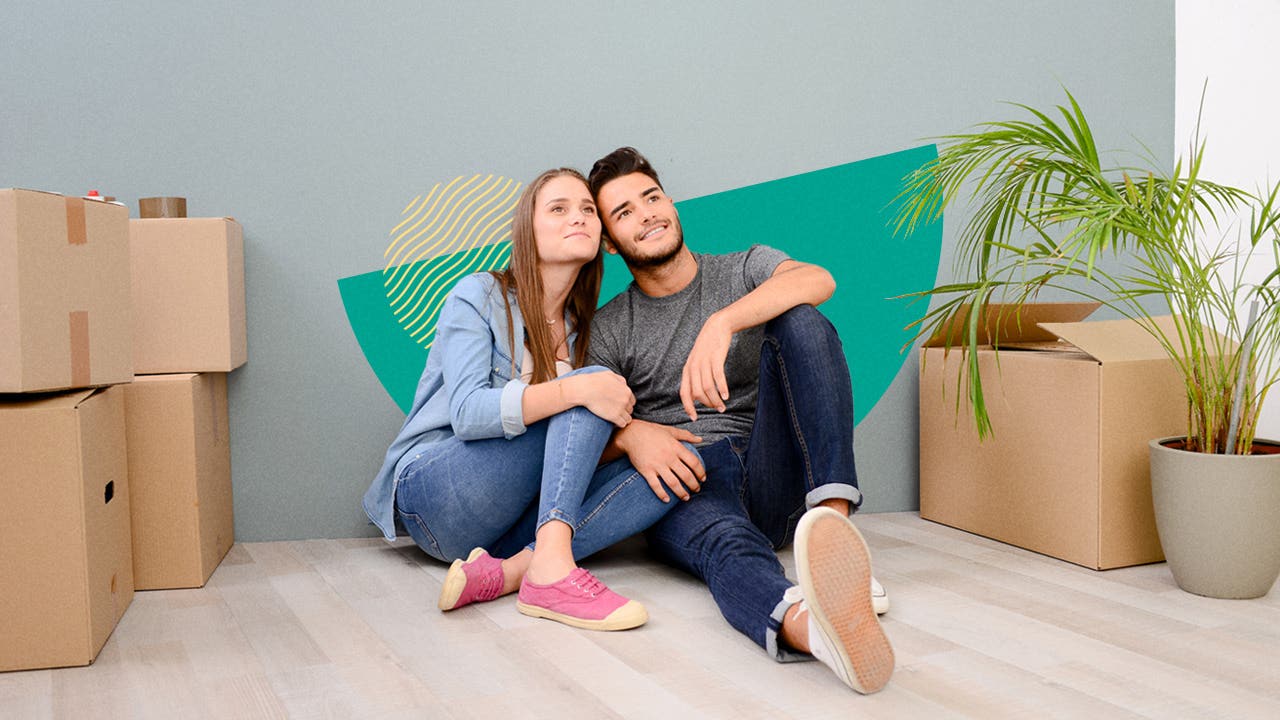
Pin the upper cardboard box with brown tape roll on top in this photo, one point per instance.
(189, 295)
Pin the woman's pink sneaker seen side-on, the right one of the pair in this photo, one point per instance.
(582, 601)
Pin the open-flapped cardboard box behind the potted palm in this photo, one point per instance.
(1073, 407)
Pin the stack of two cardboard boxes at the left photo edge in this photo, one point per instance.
(66, 566)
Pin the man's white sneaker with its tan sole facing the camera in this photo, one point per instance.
(835, 573)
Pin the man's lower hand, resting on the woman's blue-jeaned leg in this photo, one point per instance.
(657, 453)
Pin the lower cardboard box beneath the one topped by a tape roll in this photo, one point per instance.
(180, 479)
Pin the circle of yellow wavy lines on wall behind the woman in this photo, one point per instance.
(467, 225)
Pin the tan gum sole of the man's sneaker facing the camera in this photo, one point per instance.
(863, 645)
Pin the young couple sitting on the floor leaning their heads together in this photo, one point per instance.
(708, 405)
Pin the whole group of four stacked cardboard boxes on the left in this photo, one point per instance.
(129, 486)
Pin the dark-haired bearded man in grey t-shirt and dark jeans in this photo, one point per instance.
(729, 353)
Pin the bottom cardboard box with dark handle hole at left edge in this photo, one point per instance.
(66, 562)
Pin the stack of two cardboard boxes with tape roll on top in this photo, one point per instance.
(189, 329)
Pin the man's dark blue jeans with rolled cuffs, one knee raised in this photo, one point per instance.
(801, 453)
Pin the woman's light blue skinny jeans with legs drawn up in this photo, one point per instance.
(495, 494)
